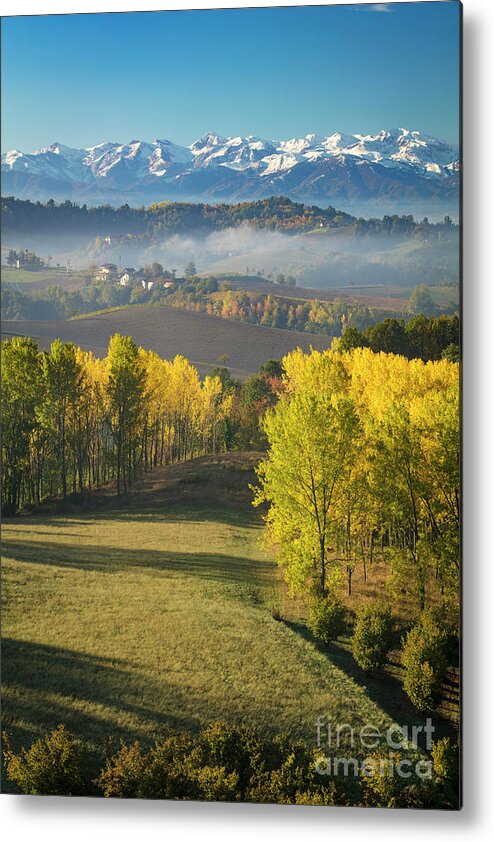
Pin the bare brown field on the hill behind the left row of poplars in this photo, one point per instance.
(205, 340)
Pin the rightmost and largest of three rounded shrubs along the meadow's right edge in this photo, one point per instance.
(424, 662)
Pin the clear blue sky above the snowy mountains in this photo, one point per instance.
(277, 73)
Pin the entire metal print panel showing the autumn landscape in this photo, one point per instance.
(230, 405)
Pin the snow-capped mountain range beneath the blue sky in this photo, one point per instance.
(396, 166)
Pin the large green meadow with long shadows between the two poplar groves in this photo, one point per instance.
(155, 614)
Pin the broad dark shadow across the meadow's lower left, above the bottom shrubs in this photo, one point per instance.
(43, 686)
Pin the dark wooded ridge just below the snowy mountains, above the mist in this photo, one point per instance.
(275, 213)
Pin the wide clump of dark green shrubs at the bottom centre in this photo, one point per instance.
(222, 763)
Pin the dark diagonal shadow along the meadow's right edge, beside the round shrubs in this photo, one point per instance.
(381, 687)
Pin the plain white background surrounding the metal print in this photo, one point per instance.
(53, 819)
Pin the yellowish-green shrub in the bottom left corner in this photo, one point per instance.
(50, 767)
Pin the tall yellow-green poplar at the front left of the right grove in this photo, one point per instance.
(311, 443)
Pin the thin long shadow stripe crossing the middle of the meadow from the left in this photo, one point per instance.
(233, 569)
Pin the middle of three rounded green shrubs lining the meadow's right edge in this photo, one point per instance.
(372, 635)
